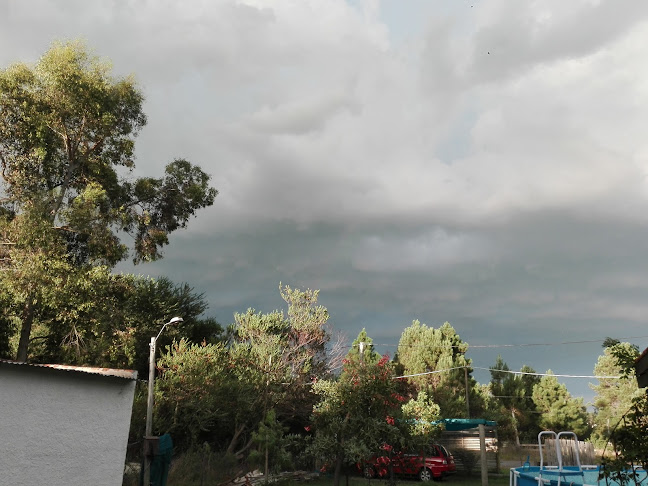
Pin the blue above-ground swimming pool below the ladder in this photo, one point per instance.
(528, 476)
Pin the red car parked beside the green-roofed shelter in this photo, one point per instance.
(438, 464)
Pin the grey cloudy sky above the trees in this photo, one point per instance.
(480, 162)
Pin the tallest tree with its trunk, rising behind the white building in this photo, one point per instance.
(67, 130)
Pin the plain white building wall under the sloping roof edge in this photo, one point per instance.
(62, 428)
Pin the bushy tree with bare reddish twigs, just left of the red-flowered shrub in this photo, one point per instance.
(280, 354)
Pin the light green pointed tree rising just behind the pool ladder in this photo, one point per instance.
(559, 411)
